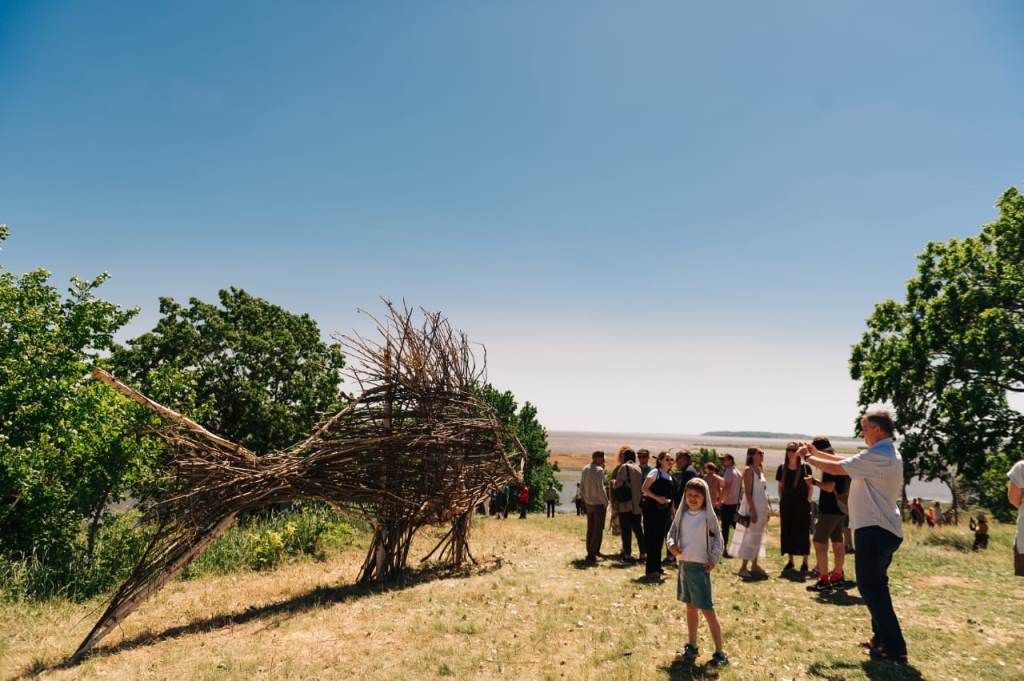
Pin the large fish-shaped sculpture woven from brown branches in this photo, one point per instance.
(418, 447)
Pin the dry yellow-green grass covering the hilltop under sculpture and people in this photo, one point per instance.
(532, 612)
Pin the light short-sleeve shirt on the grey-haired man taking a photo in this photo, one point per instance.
(876, 488)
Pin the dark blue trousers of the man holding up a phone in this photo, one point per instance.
(875, 552)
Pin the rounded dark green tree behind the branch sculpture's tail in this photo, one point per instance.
(248, 370)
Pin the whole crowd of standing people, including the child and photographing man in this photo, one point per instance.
(684, 517)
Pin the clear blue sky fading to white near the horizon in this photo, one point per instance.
(659, 218)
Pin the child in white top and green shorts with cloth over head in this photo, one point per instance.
(696, 540)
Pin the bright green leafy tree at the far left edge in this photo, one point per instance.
(67, 445)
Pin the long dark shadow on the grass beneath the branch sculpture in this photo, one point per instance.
(319, 598)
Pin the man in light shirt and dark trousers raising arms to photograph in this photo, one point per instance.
(876, 486)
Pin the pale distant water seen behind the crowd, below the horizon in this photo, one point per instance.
(584, 443)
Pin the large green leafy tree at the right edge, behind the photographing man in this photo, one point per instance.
(949, 358)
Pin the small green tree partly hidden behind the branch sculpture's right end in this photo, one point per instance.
(539, 472)
